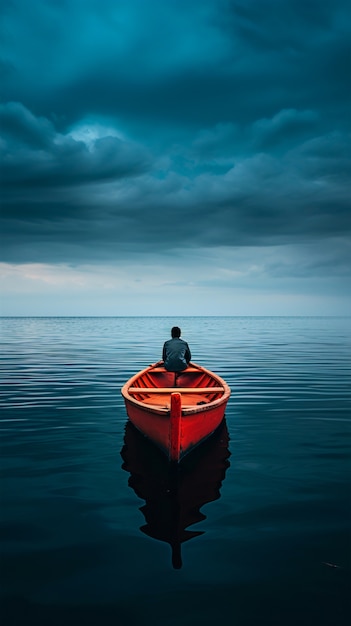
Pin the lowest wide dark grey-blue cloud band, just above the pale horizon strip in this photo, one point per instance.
(259, 201)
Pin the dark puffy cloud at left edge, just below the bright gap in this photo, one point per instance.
(34, 154)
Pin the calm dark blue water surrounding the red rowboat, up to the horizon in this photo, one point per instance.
(259, 517)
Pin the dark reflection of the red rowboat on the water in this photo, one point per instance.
(174, 494)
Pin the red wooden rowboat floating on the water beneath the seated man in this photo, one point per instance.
(177, 411)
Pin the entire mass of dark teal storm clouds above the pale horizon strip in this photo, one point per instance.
(218, 123)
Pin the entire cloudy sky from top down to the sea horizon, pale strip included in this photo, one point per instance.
(175, 157)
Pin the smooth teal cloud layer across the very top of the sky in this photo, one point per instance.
(193, 64)
